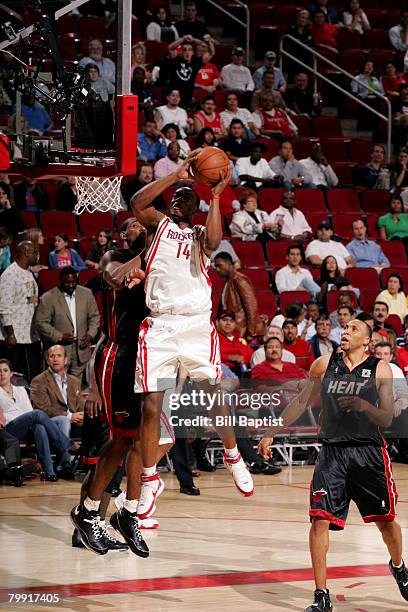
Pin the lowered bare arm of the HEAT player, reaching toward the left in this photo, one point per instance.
(297, 406)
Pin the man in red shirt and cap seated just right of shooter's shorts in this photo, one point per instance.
(234, 350)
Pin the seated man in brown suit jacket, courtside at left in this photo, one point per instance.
(58, 393)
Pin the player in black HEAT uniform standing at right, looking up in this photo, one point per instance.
(353, 464)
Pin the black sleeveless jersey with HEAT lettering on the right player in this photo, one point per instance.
(346, 426)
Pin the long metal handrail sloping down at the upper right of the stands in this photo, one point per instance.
(316, 55)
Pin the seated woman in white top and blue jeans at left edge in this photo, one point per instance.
(18, 418)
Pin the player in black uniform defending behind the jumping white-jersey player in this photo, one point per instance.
(112, 383)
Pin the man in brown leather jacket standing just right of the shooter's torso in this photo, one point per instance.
(239, 297)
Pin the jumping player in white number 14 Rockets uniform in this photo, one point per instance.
(179, 331)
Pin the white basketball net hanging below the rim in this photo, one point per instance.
(98, 194)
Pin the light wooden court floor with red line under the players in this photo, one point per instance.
(216, 552)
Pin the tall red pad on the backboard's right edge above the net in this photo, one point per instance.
(126, 133)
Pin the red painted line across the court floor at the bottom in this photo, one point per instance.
(197, 582)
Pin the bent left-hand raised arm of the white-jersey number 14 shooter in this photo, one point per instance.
(141, 202)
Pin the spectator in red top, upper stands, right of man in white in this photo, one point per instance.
(272, 121)
